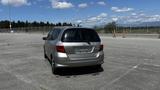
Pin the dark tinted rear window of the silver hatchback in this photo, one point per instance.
(80, 35)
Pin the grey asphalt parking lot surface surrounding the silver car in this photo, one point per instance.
(129, 64)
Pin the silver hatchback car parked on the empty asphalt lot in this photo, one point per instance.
(73, 47)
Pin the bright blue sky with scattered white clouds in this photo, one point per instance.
(86, 12)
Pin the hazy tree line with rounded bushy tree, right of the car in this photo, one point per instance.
(113, 27)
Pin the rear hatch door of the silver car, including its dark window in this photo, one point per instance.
(81, 44)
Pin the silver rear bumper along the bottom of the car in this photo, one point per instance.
(79, 63)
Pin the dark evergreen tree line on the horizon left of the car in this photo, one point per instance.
(16, 24)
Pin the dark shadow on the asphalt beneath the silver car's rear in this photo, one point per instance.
(94, 70)
